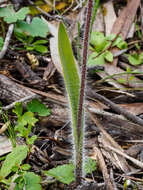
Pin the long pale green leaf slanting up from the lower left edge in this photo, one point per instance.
(14, 158)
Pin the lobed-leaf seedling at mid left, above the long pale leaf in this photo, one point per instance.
(27, 120)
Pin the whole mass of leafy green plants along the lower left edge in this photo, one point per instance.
(12, 169)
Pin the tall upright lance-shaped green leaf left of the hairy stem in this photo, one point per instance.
(71, 75)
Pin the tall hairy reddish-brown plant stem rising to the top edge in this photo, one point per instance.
(80, 127)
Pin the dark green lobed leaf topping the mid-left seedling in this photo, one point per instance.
(36, 106)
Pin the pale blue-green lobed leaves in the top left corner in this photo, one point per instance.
(37, 28)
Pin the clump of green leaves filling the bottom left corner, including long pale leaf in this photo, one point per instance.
(21, 176)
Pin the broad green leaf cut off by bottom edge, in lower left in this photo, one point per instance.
(32, 181)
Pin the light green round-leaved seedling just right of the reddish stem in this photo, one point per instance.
(99, 45)
